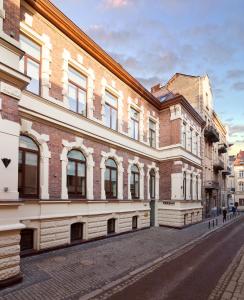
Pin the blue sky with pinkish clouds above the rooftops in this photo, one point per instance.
(155, 39)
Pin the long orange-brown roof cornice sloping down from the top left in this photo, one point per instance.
(64, 24)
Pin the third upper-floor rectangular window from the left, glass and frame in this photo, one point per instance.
(111, 111)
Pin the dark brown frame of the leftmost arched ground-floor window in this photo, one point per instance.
(24, 150)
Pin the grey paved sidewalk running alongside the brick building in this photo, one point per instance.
(76, 271)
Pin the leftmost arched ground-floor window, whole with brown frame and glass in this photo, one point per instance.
(28, 177)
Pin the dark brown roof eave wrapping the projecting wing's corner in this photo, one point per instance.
(179, 99)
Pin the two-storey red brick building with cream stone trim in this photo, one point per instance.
(86, 151)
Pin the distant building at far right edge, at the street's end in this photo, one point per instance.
(239, 179)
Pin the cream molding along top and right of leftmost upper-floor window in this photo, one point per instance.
(46, 57)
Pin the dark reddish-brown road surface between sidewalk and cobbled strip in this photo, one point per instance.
(192, 275)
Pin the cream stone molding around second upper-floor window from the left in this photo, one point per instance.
(89, 73)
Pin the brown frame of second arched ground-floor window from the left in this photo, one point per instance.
(75, 194)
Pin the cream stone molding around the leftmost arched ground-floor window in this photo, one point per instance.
(45, 155)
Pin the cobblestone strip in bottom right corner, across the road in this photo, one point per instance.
(231, 284)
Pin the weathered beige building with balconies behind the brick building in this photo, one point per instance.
(197, 91)
